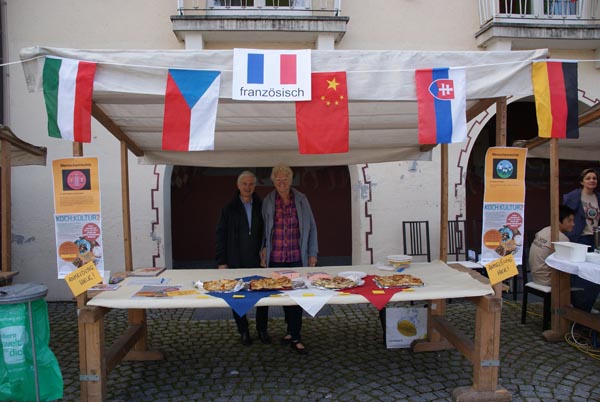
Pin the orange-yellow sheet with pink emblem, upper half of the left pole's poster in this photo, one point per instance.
(76, 186)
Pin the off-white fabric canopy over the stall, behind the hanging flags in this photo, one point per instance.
(130, 84)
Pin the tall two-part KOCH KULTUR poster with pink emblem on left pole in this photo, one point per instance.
(77, 217)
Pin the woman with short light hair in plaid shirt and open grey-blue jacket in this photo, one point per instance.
(290, 240)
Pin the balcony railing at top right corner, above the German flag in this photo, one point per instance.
(540, 11)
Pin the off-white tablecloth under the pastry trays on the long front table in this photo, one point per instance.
(441, 282)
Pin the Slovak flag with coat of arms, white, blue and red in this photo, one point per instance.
(442, 103)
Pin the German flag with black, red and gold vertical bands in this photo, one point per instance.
(555, 90)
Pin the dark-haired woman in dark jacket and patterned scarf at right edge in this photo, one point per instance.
(585, 201)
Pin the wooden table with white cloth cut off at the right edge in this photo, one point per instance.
(562, 312)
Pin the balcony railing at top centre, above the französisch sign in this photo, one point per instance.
(259, 7)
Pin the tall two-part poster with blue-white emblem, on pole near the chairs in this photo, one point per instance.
(503, 204)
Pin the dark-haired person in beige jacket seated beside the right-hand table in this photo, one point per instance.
(541, 247)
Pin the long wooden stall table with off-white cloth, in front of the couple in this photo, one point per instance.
(441, 282)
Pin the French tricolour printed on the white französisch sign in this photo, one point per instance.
(285, 68)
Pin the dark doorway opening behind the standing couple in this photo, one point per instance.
(199, 193)
